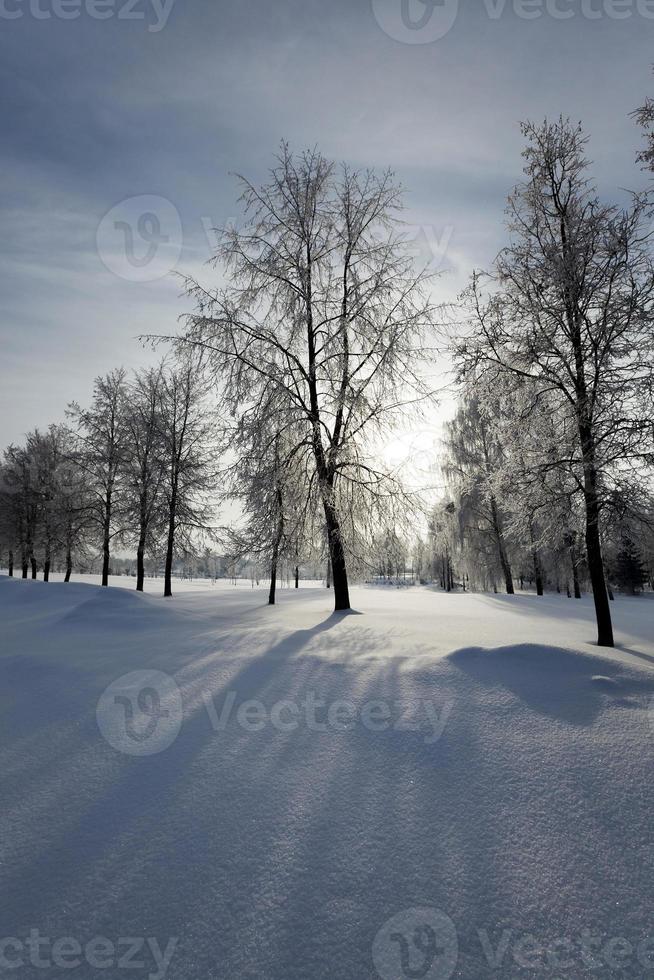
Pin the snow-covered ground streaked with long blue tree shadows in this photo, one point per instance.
(437, 786)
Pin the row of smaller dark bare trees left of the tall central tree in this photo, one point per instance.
(134, 470)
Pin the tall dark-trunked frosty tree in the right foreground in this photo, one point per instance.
(570, 309)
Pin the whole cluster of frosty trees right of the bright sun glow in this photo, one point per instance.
(549, 458)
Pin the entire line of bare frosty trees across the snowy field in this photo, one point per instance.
(319, 345)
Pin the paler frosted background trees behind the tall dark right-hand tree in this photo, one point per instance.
(511, 519)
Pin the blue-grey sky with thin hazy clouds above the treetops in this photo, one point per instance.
(124, 122)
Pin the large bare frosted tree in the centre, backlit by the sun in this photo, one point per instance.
(325, 307)
